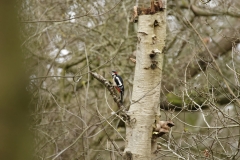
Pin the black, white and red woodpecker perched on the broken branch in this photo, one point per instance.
(119, 84)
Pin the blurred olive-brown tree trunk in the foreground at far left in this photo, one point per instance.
(15, 140)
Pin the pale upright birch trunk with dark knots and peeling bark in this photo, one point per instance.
(145, 110)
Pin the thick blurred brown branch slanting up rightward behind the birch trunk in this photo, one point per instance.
(218, 48)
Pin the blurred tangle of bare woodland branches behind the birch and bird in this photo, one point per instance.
(62, 40)
